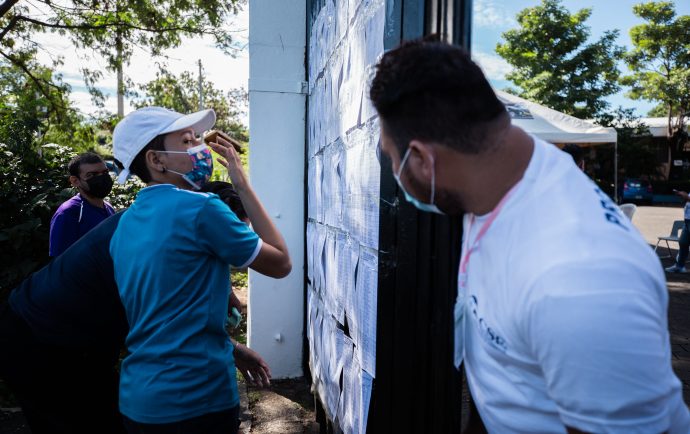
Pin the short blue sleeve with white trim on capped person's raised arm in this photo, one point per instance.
(226, 236)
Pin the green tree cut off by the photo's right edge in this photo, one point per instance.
(660, 65)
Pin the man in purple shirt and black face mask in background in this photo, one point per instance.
(81, 213)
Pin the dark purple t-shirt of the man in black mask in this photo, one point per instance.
(72, 220)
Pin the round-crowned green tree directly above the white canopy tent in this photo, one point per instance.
(553, 63)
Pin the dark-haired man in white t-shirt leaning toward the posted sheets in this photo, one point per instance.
(561, 315)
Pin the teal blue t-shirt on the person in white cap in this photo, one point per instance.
(170, 254)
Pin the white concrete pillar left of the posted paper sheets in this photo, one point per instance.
(276, 162)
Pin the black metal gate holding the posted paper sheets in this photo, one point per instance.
(416, 389)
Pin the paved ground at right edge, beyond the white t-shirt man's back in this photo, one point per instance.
(653, 222)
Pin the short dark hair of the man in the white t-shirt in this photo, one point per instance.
(432, 91)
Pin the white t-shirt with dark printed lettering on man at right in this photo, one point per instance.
(566, 313)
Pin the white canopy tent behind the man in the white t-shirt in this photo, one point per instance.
(558, 128)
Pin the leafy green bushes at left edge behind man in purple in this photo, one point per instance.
(33, 169)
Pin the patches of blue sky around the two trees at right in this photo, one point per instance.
(493, 17)
